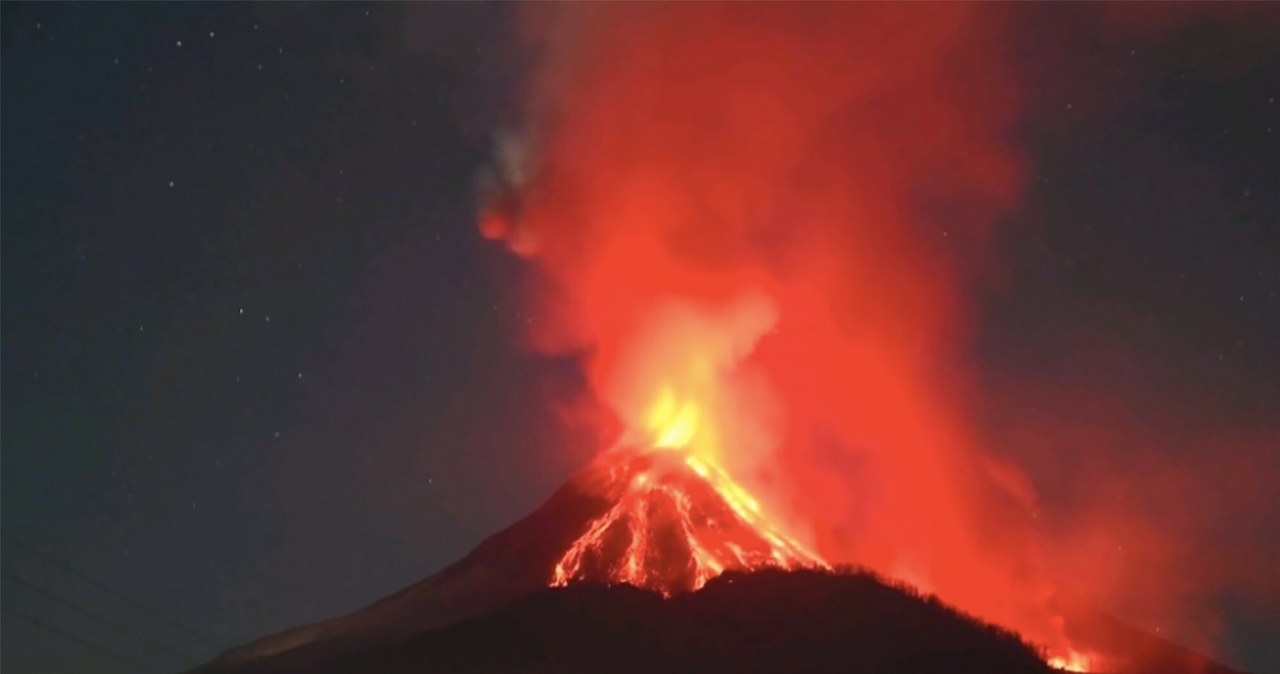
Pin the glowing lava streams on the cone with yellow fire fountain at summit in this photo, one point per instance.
(676, 521)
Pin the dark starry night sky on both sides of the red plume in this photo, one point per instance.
(259, 369)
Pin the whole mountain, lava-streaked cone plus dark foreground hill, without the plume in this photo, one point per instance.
(657, 561)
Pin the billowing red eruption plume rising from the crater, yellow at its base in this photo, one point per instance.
(762, 221)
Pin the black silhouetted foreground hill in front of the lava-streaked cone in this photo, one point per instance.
(769, 621)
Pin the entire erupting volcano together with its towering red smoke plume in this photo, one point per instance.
(757, 231)
